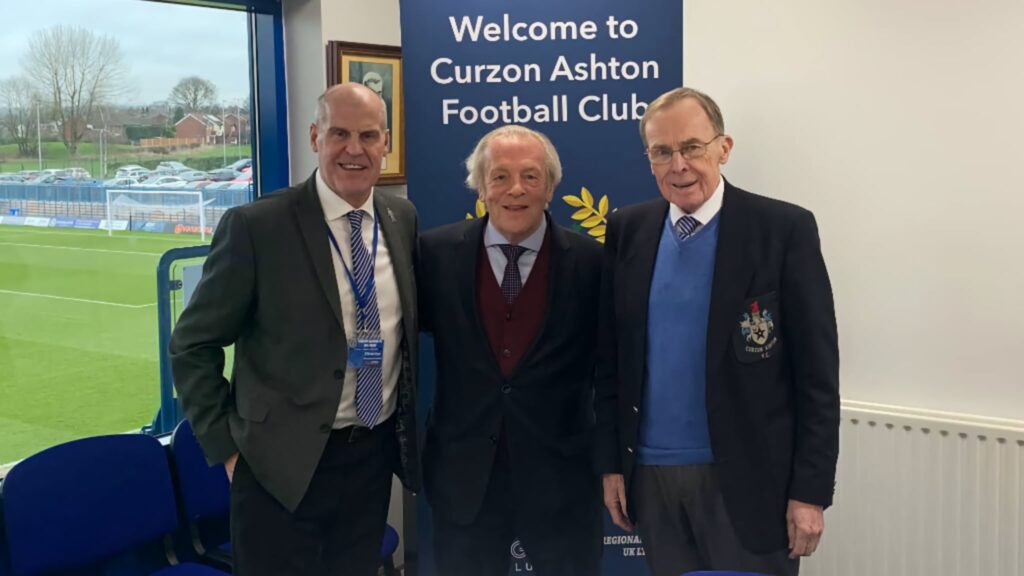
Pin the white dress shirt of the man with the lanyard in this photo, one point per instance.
(335, 214)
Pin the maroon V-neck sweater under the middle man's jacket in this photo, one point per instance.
(511, 330)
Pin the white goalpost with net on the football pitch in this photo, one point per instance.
(125, 207)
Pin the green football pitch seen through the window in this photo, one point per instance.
(78, 335)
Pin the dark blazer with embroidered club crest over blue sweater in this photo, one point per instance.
(775, 421)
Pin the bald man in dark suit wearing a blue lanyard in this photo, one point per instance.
(315, 286)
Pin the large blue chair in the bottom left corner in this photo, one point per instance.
(86, 503)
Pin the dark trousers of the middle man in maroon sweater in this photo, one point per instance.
(564, 544)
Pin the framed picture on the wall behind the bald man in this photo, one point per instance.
(378, 68)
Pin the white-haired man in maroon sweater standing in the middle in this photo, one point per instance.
(511, 303)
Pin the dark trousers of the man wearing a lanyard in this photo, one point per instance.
(338, 527)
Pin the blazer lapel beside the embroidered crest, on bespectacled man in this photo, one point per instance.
(734, 272)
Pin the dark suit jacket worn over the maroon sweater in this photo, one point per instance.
(545, 406)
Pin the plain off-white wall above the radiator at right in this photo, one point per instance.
(900, 125)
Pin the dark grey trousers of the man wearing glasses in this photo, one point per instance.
(685, 526)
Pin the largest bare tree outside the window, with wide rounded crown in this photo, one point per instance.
(79, 70)
